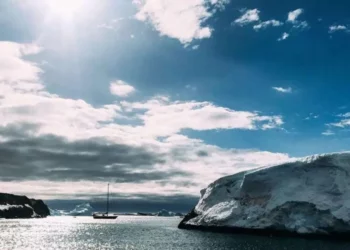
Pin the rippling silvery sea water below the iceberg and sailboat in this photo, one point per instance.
(130, 232)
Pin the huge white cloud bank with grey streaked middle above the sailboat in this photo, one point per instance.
(74, 147)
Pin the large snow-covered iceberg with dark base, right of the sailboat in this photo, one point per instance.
(310, 196)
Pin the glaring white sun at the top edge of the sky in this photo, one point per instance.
(66, 8)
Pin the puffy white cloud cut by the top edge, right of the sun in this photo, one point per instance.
(182, 19)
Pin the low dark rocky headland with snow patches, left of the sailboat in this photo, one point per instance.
(15, 206)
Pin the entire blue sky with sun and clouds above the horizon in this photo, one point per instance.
(161, 97)
